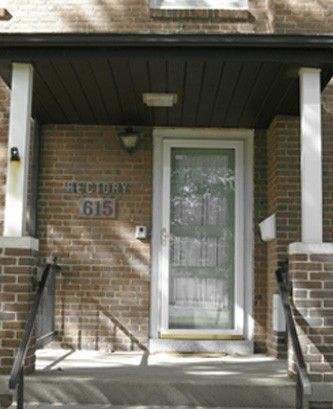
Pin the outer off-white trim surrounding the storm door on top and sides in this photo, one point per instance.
(233, 135)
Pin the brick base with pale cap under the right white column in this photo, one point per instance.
(311, 272)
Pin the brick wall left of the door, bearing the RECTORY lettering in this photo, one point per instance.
(103, 294)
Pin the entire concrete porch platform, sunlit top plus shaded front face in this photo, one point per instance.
(159, 381)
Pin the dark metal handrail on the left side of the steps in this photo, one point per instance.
(17, 373)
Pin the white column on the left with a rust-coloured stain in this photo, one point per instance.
(19, 136)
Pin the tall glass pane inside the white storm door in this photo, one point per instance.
(202, 239)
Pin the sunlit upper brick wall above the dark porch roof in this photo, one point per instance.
(281, 16)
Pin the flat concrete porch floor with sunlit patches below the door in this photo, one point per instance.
(255, 369)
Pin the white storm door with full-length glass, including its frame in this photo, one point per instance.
(202, 235)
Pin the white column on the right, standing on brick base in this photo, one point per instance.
(311, 156)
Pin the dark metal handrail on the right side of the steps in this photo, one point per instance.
(303, 387)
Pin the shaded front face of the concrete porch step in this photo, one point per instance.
(102, 391)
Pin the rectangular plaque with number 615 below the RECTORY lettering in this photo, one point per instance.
(98, 208)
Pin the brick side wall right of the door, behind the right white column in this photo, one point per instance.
(284, 197)
